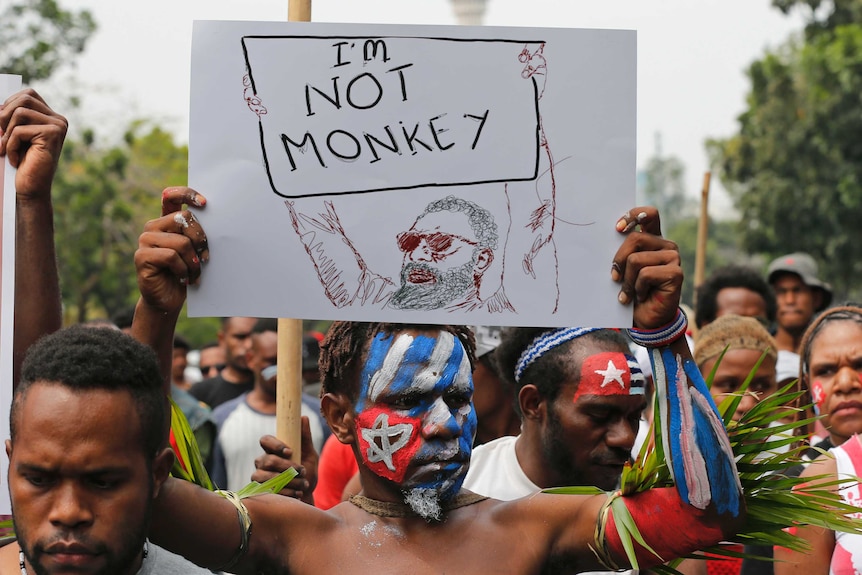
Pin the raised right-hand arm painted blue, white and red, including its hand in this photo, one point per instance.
(707, 503)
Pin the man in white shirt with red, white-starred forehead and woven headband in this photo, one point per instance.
(580, 400)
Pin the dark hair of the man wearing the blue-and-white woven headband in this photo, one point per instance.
(553, 368)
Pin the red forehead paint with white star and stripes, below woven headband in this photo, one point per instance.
(610, 373)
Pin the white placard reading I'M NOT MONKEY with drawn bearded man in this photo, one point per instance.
(412, 173)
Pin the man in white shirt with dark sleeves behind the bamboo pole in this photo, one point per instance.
(244, 420)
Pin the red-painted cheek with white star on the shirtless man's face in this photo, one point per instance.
(387, 441)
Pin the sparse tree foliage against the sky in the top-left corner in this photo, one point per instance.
(38, 36)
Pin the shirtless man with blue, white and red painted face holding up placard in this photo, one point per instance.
(400, 395)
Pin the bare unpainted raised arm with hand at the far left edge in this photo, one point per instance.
(33, 136)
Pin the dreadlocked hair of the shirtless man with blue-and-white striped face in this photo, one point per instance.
(346, 344)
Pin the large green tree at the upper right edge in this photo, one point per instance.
(794, 169)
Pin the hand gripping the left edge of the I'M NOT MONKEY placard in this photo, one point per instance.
(170, 251)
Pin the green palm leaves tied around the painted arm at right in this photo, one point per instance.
(762, 451)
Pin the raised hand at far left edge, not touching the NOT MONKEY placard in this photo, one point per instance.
(32, 138)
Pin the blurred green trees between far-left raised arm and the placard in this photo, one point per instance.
(102, 199)
